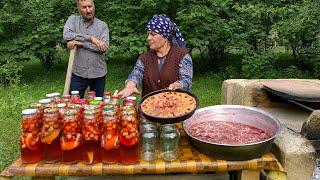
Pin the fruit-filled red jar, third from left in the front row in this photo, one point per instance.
(71, 137)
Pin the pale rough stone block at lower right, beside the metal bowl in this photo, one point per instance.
(296, 154)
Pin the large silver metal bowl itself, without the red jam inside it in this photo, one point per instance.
(239, 114)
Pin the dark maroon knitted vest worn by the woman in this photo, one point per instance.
(153, 79)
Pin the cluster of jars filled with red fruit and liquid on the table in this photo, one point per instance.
(76, 134)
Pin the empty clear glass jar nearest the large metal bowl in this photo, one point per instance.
(169, 142)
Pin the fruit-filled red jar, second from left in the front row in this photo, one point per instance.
(50, 135)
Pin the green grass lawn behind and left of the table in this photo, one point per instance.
(36, 82)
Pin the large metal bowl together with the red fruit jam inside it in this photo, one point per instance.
(231, 132)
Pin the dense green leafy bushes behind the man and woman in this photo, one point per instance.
(257, 33)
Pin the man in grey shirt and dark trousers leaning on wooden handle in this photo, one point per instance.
(91, 36)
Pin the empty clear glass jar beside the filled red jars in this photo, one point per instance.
(149, 142)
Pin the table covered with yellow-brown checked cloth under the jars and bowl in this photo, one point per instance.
(190, 162)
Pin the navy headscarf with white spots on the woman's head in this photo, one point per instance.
(162, 24)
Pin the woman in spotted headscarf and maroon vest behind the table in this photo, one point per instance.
(167, 63)
